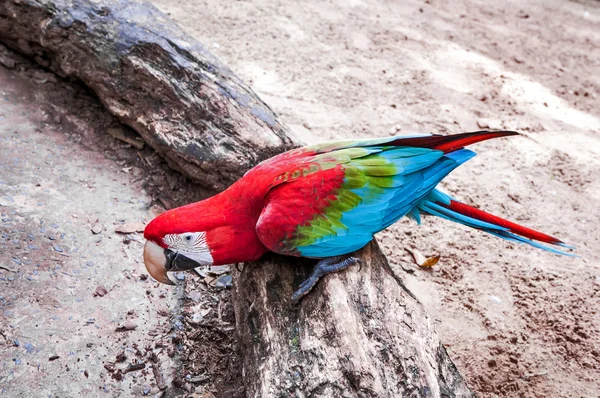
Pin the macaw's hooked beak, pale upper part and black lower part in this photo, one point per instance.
(159, 261)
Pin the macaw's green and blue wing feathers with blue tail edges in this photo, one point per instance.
(400, 181)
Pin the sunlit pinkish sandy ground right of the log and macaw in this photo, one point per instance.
(517, 321)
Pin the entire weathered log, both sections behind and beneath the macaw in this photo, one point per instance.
(360, 332)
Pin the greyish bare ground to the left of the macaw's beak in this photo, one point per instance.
(78, 315)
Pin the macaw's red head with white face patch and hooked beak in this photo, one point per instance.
(178, 240)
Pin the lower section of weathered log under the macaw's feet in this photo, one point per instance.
(359, 333)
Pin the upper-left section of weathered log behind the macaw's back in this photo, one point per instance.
(183, 102)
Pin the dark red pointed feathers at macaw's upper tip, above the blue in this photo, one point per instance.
(451, 143)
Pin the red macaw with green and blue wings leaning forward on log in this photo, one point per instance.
(324, 202)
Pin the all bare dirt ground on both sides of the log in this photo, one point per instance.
(518, 322)
